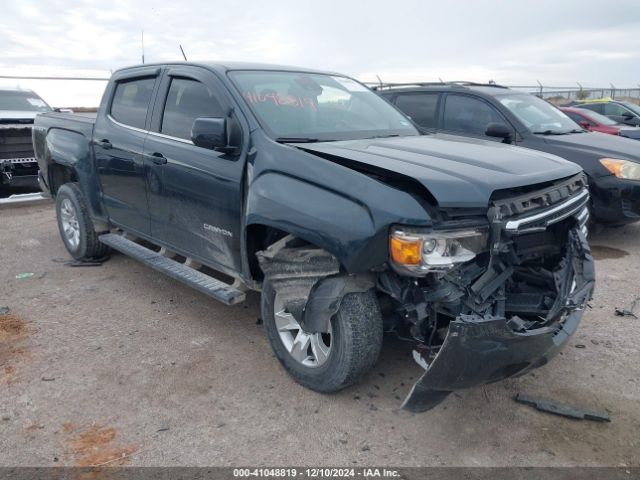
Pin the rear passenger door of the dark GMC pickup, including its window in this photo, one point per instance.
(119, 135)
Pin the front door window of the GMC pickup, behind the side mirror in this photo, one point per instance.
(187, 100)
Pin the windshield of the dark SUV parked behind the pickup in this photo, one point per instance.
(538, 115)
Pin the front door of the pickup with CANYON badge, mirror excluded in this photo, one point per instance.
(194, 192)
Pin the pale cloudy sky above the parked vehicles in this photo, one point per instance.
(558, 43)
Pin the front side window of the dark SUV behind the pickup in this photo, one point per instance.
(469, 115)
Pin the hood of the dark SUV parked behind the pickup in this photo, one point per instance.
(596, 144)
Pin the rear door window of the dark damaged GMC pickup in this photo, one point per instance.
(131, 100)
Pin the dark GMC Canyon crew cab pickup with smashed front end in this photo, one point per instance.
(313, 190)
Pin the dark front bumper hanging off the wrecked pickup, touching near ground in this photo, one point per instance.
(478, 350)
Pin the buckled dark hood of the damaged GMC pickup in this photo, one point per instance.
(460, 172)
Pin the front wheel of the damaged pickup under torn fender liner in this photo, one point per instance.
(348, 350)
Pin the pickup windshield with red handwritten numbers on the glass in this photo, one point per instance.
(295, 106)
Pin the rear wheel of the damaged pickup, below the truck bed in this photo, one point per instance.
(75, 224)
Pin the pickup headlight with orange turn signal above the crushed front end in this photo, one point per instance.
(420, 252)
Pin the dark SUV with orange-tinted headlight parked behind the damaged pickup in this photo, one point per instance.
(489, 111)
